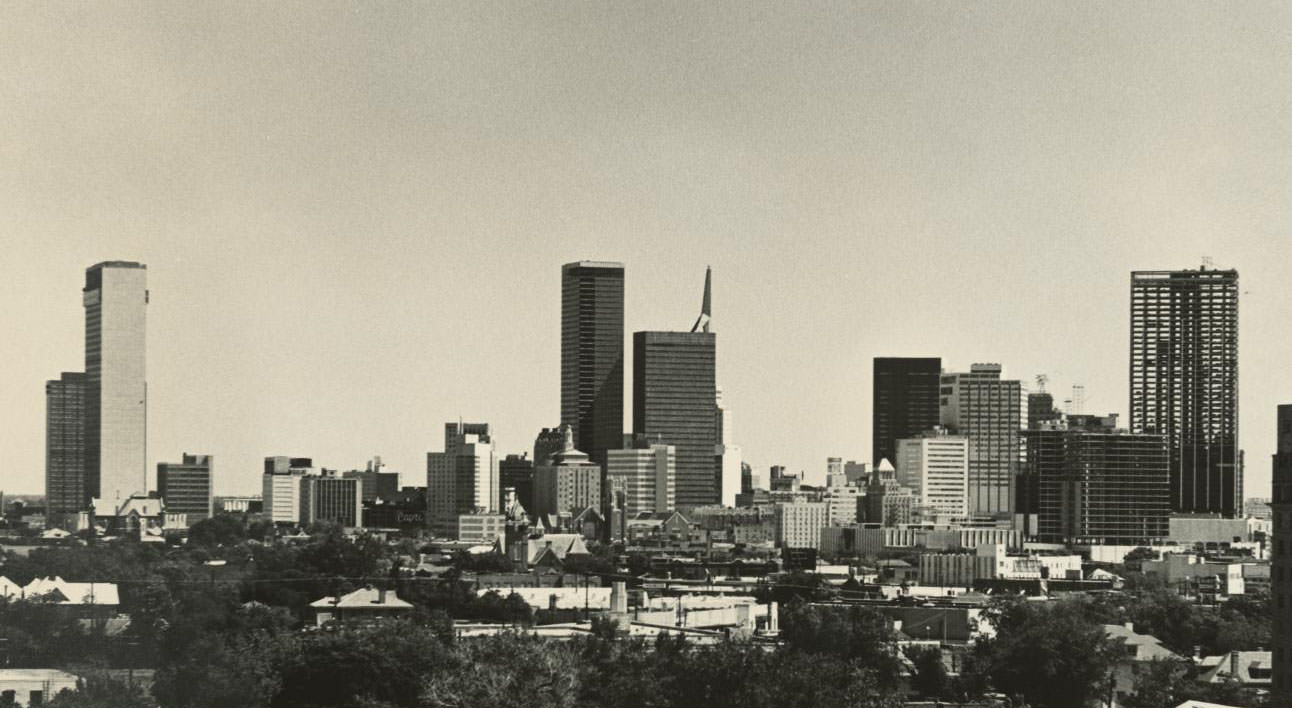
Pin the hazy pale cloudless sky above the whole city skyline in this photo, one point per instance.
(355, 215)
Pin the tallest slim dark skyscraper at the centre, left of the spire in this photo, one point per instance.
(592, 356)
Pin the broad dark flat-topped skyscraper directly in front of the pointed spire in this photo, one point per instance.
(675, 397)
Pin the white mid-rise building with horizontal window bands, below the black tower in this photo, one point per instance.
(936, 468)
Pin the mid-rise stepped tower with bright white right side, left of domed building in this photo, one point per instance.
(463, 479)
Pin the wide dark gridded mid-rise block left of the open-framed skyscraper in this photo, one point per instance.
(1096, 484)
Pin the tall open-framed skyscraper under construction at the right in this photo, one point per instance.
(1184, 382)
